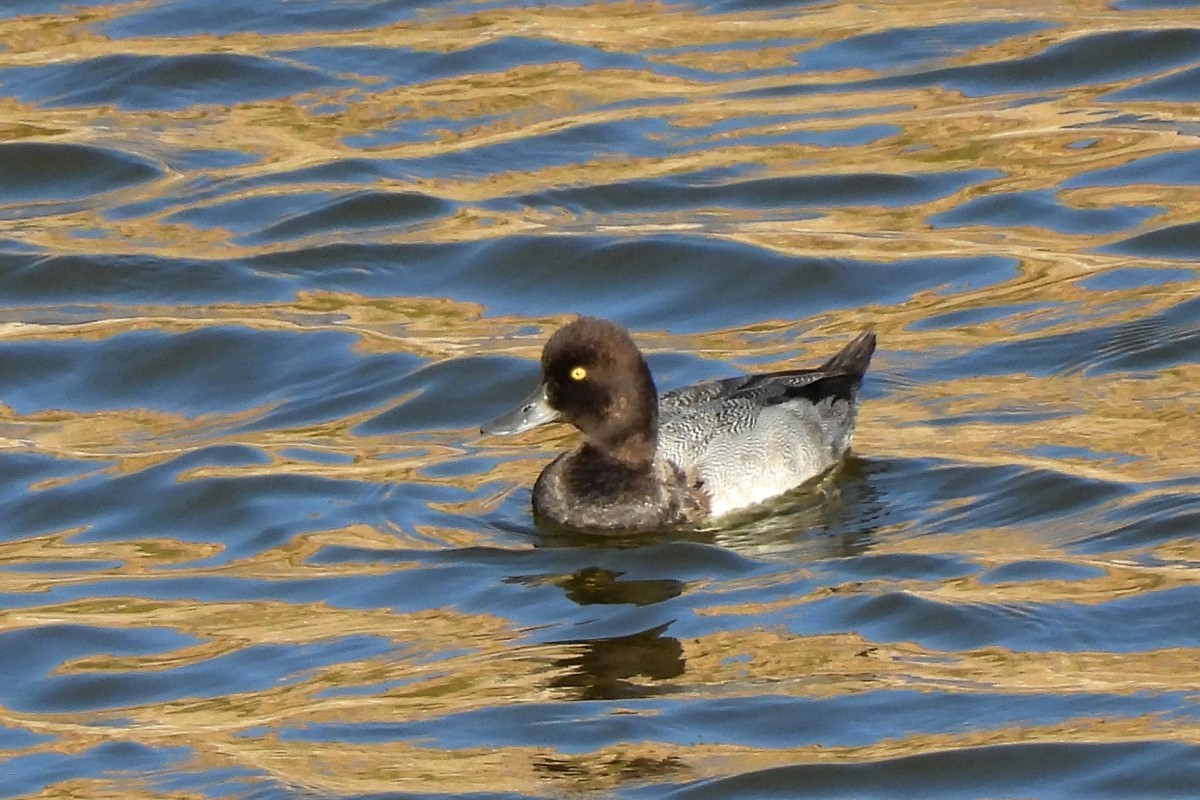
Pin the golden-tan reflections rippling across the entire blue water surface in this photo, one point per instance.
(1143, 428)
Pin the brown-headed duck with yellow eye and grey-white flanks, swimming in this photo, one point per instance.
(691, 456)
